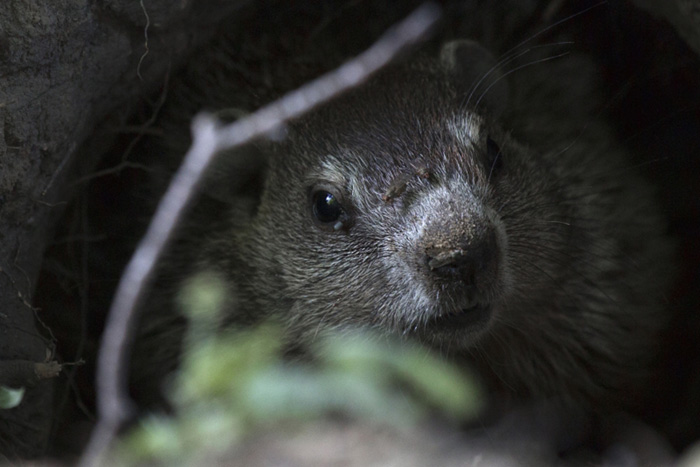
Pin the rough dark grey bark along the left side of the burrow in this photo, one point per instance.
(64, 66)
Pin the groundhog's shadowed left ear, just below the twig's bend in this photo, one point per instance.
(236, 174)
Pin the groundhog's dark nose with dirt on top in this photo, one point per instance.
(471, 261)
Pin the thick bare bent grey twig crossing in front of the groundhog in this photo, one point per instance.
(209, 138)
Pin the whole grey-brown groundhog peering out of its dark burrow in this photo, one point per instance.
(477, 204)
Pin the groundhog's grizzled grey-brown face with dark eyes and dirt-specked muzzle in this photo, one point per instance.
(391, 208)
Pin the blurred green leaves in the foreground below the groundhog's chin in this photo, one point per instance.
(232, 384)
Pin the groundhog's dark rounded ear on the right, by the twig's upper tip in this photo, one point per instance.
(476, 75)
